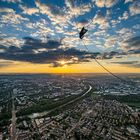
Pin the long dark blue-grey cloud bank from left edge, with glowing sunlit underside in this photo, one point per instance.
(50, 52)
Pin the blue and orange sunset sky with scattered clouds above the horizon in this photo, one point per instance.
(42, 36)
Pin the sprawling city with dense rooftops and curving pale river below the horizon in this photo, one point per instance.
(69, 106)
